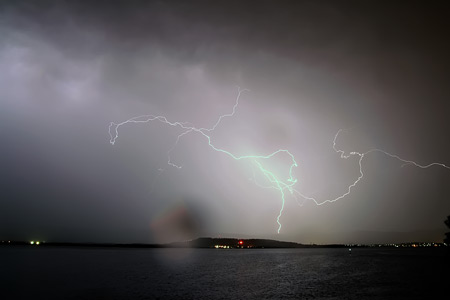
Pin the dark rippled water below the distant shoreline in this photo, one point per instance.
(109, 273)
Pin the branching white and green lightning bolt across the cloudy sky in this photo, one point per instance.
(282, 185)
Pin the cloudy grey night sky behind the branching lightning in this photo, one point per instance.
(378, 69)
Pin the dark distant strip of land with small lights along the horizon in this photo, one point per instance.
(218, 243)
